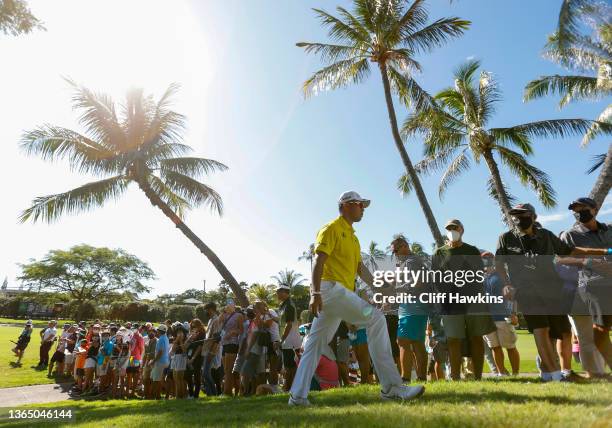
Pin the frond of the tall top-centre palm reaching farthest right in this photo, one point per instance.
(436, 34)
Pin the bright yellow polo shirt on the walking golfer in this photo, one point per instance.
(337, 239)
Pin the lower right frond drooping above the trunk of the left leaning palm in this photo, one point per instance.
(193, 191)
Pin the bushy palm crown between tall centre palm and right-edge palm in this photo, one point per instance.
(455, 131)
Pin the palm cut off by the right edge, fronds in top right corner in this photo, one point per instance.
(589, 57)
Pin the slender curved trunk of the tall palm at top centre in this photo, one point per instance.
(431, 220)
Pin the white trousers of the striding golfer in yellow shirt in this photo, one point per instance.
(341, 304)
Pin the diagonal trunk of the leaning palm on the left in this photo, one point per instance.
(204, 249)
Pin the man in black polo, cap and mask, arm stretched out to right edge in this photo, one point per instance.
(528, 253)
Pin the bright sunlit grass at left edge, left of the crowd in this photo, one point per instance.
(24, 375)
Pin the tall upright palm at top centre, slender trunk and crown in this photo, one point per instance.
(388, 33)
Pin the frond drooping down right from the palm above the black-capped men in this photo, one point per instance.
(529, 175)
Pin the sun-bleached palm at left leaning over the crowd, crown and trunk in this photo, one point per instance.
(143, 145)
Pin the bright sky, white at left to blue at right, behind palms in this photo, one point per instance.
(289, 158)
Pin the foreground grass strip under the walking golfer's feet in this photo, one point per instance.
(508, 403)
